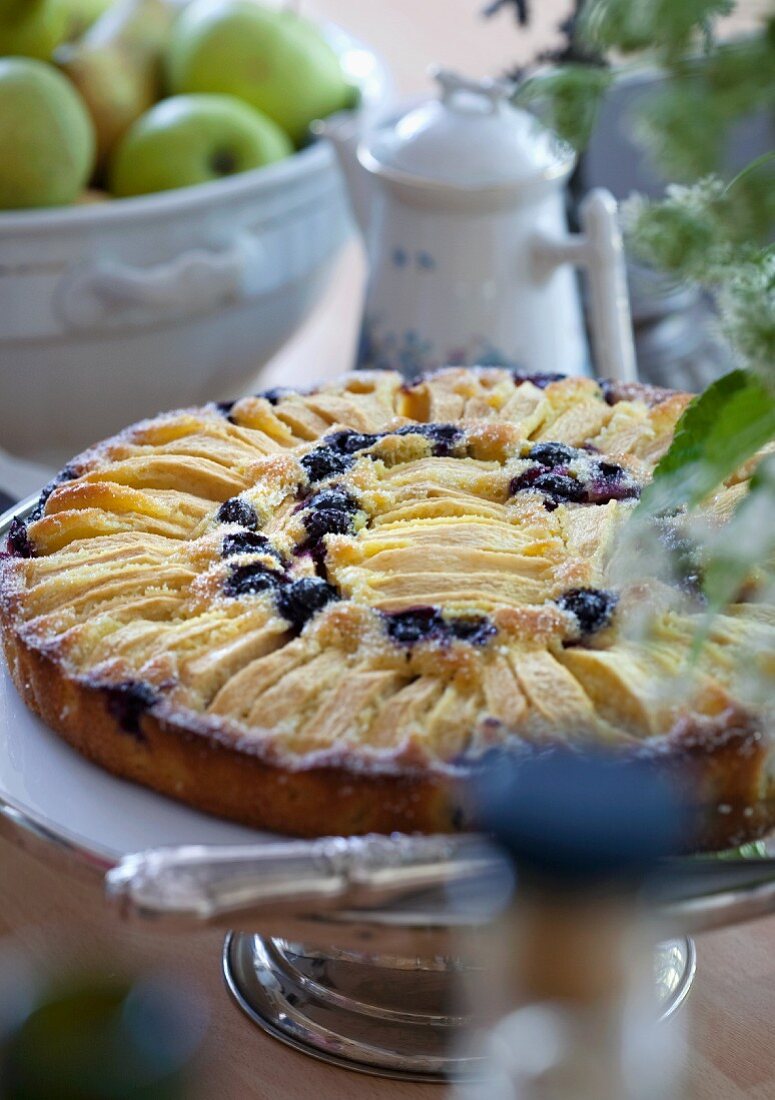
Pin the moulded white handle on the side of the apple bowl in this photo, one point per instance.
(112, 293)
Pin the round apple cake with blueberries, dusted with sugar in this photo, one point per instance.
(322, 612)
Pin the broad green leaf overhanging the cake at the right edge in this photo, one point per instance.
(721, 431)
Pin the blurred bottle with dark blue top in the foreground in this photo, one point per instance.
(567, 1000)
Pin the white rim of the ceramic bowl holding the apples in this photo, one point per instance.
(116, 212)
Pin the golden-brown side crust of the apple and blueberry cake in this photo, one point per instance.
(721, 766)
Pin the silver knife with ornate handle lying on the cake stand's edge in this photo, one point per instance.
(418, 885)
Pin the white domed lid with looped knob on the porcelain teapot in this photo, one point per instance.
(472, 137)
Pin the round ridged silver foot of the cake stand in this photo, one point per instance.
(391, 1017)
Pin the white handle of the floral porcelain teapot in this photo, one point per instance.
(599, 248)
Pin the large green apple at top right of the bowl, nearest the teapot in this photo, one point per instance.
(272, 59)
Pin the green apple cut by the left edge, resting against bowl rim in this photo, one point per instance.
(47, 137)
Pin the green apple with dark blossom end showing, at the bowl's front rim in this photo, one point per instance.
(193, 140)
